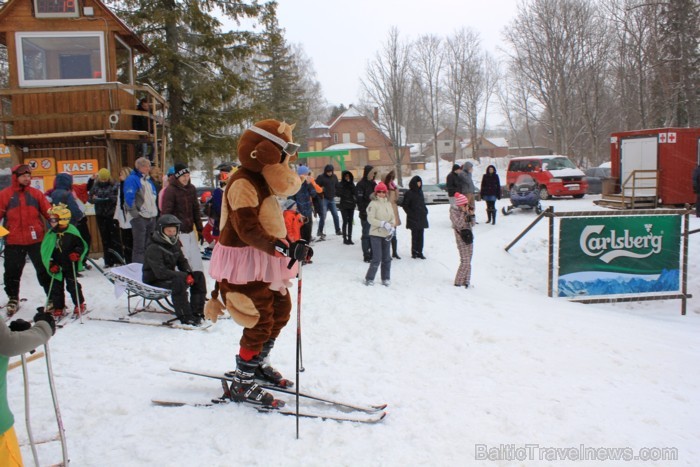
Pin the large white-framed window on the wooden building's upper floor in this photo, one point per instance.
(60, 58)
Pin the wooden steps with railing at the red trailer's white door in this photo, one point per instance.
(639, 191)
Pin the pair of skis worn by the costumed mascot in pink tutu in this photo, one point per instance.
(362, 413)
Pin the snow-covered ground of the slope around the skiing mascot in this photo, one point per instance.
(492, 369)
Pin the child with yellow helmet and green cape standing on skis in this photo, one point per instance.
(62, 252)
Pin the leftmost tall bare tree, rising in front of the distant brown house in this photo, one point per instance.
(386, 85)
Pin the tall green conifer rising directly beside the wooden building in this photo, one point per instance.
(198, 67)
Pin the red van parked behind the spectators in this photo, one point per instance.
(556, 175)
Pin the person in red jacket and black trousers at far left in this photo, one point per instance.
(23, 209)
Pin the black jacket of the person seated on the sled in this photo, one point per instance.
(163, 261)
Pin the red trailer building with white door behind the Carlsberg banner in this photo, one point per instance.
(673, 152)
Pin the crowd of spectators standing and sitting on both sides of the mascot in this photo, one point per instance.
(143, 210)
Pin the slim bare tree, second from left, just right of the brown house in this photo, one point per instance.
(428, 59)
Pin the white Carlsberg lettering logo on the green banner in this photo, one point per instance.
(610, 246)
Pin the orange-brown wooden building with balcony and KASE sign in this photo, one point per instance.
(71, 96)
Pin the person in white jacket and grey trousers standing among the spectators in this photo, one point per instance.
(380, 216)
